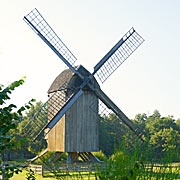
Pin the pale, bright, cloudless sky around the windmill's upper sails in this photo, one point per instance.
(148, 80)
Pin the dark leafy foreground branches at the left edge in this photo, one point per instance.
(9, 118)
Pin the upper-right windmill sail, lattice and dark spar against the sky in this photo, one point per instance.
(118, 54)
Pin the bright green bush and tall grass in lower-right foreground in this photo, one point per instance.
(134, 165)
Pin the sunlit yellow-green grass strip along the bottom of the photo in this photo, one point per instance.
(152, 172)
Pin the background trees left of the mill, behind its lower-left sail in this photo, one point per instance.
(27, 149)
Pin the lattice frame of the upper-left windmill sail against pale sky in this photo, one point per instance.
(39, 25)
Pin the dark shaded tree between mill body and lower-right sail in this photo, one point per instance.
(113, 132)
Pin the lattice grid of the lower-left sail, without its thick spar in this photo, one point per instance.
(47, 112)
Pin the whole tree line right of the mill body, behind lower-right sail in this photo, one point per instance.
(162, 134)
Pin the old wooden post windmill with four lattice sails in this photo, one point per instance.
(67, 121)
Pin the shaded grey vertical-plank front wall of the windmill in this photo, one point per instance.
(81, 125)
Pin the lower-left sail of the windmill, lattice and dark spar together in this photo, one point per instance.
(50, 113)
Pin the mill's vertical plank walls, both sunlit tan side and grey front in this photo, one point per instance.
(77, 131)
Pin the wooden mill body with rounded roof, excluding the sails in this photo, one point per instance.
(78, 129)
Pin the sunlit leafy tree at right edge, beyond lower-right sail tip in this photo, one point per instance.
(161, 133)
